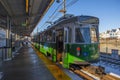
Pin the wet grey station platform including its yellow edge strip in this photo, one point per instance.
(30, 65)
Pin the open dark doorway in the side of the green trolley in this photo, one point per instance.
(59, 45)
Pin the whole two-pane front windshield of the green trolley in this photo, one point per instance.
(85, 35)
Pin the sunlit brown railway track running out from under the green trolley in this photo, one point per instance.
(91, 72)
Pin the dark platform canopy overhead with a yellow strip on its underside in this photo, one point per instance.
(23, 14)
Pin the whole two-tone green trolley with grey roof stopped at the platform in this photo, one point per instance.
(71, 39)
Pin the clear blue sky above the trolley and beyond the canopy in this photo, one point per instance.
(108, 11)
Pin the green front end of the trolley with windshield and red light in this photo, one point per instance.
(85, 46)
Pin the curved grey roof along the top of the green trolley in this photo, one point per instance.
(71, 18)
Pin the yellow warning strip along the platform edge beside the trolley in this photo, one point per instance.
(53, 68)
